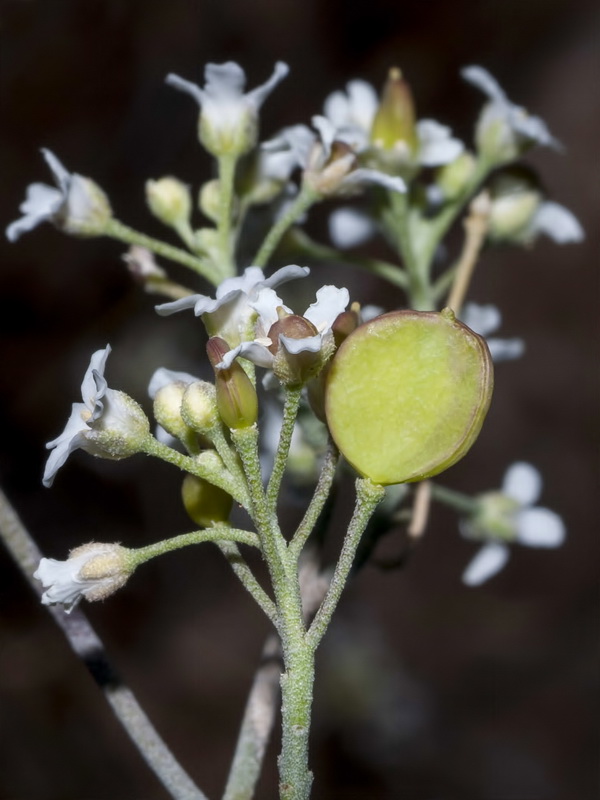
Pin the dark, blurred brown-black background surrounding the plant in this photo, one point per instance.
(426, 689)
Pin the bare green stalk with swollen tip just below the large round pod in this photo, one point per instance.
(368, 497)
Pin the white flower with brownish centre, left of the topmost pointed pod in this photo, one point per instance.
(326, 171)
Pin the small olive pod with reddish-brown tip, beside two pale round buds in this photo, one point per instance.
(237, 400)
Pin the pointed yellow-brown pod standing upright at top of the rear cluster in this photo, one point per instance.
(394, 125)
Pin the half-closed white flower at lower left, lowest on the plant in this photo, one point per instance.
(93, 571)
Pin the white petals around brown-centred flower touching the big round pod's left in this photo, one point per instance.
(331, 302)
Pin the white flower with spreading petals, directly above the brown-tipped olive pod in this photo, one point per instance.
(231, 313)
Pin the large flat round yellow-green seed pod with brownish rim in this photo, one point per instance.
(407, 394)
